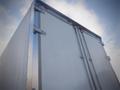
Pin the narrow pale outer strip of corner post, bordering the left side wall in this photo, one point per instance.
(30, 49)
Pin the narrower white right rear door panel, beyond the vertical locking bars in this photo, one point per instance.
(102, 66)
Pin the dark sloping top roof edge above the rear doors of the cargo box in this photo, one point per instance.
(46, 6)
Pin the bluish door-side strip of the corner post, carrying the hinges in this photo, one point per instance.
(37, 38)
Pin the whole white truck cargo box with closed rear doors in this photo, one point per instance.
(50, 51)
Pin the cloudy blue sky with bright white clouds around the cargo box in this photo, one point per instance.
(100, 16)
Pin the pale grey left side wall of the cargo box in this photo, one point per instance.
(14, 60)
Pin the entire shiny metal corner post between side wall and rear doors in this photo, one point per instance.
(34, 81)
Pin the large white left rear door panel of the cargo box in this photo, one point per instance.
(62, 68)
